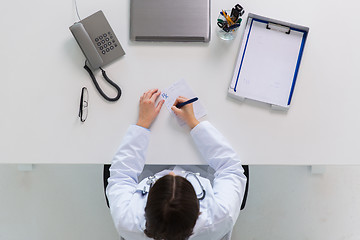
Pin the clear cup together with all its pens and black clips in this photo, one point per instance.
(229, 22)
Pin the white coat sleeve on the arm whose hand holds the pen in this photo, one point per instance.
(230, 181)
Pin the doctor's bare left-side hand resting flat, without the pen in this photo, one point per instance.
(147, 109)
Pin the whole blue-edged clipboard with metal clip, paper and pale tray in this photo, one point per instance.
(268, 61)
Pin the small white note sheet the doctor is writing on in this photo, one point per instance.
(181, 88)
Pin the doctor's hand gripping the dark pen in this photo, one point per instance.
(186, 113)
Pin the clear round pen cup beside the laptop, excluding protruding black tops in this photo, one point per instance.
(225, 29)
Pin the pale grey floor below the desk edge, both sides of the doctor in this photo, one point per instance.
(285, 202)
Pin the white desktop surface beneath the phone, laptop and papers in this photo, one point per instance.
(42, 77)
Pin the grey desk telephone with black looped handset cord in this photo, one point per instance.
(100, 46)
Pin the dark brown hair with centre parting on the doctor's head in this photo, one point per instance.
(172, 209)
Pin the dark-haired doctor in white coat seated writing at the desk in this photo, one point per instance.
(174, 204)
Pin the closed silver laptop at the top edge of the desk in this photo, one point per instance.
(170, 20)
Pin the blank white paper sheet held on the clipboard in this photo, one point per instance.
(268, 64)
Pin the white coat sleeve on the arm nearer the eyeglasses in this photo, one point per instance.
(126, 166)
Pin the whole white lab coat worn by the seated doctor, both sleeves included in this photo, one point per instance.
(221, 206)
